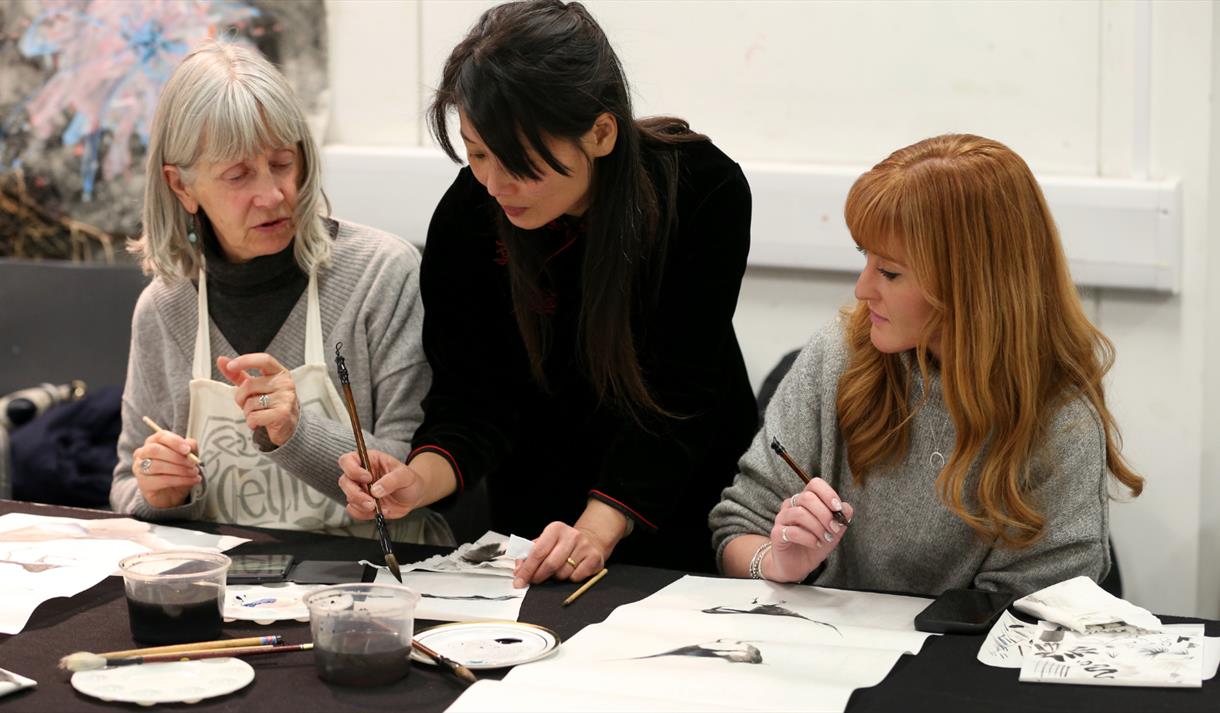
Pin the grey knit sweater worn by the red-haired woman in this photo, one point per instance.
(903, 538)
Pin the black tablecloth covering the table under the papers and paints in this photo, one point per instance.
(944, 677)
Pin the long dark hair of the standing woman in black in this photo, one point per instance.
(542, 69)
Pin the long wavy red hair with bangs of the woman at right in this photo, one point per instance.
(1014, 341)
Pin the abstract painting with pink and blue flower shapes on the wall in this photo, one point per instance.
(79, 89)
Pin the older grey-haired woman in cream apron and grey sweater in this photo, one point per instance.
(248, 270)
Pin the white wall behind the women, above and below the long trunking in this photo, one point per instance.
(1112, 90)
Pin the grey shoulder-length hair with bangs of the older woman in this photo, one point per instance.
(225, 103)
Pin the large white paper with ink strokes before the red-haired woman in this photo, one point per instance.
(719, 644)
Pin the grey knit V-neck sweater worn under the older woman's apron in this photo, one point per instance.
(369, 300)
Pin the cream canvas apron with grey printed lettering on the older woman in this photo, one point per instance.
(245, 487)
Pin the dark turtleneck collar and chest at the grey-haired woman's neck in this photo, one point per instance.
(249, 302)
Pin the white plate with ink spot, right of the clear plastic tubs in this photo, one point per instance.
(487, 645)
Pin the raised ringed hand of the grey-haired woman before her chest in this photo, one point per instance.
(268, 401)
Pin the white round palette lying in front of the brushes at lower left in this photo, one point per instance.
(180, 682)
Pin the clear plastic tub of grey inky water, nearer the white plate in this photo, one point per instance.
(363, 633)
